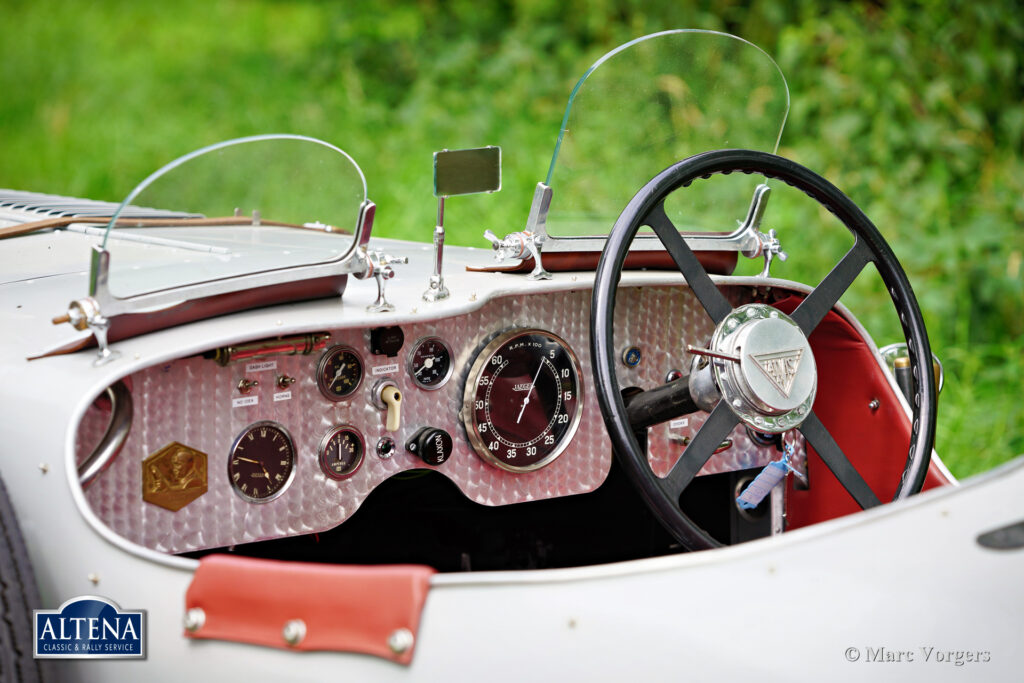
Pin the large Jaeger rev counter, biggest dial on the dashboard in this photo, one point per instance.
(523, 401)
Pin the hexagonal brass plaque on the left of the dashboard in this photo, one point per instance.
(175, 477)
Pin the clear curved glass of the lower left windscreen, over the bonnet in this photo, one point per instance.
(240, 207)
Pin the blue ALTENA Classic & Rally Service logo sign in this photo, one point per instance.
(89, 628)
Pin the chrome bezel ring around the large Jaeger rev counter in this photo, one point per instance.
(470, 394)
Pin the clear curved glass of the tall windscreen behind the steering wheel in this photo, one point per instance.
(652, 103)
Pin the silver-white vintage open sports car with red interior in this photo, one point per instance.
(613, 445)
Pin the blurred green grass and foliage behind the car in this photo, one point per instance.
(915, 109)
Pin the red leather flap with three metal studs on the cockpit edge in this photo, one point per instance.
(344, 608)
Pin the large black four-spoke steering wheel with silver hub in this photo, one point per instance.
(740, 397)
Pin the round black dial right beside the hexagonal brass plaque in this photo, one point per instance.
(263, 462)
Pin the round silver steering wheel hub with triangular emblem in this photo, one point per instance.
(773, 381)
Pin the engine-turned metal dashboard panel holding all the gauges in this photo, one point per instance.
(226, 451)
